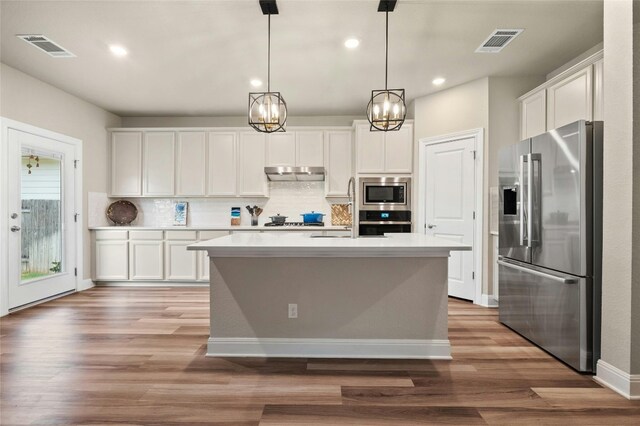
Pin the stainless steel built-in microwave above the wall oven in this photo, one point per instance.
(385, 193)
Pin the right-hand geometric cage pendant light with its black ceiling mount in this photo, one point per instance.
(386, 110)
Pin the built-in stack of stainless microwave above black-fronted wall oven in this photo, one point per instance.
(385, 205)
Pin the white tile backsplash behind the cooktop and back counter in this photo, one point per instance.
(286, 198)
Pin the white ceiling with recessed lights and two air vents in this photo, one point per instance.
(197, 57)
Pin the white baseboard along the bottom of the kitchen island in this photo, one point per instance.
(328, 348)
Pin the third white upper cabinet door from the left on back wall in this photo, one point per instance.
(191, 163)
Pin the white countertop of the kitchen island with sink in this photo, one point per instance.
(304, 245)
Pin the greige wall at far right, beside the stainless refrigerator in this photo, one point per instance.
(621, 211)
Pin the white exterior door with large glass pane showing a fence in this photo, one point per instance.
(42, 237)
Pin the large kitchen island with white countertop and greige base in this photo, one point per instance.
(381, 297)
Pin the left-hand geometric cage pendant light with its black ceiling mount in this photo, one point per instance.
(268, 110)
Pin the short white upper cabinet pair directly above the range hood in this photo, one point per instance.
(298, 148)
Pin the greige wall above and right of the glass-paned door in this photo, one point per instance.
(34, 102)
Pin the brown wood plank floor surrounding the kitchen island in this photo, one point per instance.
(136, 356)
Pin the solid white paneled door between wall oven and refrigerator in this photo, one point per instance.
(449, 209)
